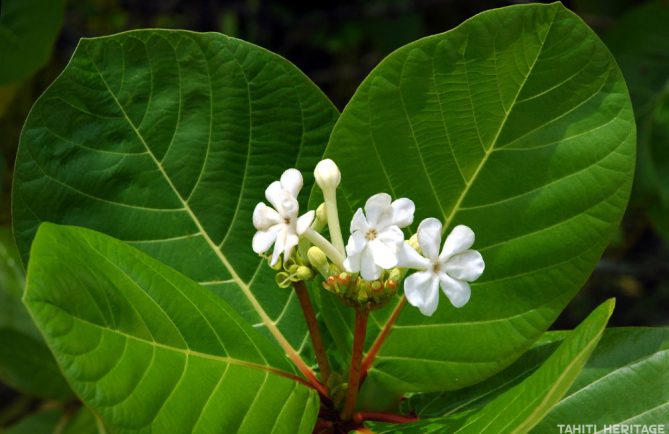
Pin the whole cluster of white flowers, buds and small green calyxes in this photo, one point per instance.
(369, 268)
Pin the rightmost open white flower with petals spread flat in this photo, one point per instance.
(451, 269)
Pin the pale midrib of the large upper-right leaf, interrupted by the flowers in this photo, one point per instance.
(456, 207)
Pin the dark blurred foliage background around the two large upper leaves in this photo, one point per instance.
(336, 44)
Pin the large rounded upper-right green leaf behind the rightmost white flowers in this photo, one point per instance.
(518, 124)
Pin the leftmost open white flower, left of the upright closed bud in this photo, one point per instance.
(280, 224)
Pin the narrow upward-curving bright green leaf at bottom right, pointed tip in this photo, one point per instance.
(520, 408)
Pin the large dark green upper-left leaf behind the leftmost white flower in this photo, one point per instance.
(167, 140)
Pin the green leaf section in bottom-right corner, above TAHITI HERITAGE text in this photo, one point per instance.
(631, 364)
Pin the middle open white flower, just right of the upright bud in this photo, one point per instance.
(376, 238)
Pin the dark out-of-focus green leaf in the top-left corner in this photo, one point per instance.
(28, 30)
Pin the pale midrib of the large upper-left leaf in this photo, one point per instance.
(280, 338)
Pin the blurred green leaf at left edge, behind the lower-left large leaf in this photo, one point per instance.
(26, 364)
